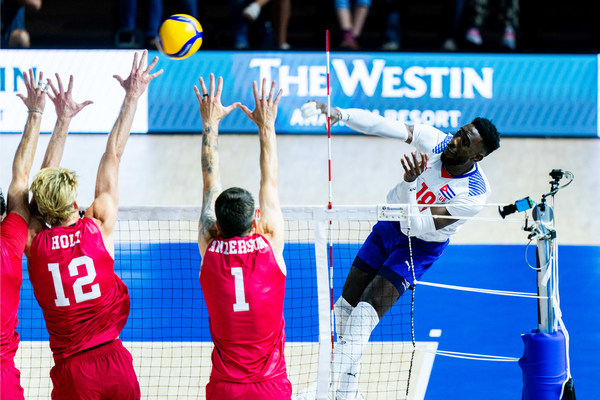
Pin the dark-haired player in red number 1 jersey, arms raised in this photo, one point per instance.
(243, 271)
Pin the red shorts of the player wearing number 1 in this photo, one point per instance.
(274, 389)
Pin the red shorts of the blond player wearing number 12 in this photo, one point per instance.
(104, 372)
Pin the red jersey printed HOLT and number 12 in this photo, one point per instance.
(84, 302)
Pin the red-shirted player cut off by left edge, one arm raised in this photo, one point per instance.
(13, 236)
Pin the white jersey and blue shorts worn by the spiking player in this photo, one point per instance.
(386, 251)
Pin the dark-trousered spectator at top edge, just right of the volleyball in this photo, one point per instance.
(242, 17)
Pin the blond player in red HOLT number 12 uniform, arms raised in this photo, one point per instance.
(71, 264)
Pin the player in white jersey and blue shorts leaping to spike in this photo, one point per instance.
(447, 174)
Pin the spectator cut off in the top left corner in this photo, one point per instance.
(14, 34)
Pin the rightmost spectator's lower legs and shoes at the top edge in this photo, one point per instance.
(509, 15)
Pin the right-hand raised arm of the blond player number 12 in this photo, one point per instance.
(106, 199)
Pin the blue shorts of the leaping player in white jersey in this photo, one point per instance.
(386, 253)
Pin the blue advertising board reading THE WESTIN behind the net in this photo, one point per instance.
(525, 95)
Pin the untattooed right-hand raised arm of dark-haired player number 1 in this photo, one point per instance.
(271, 223)
